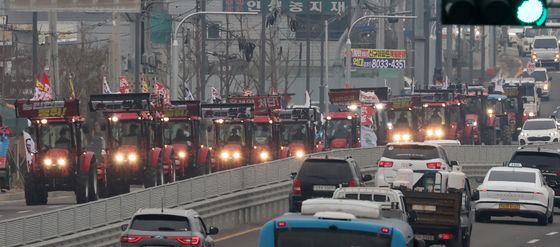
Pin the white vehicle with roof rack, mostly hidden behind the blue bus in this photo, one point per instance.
(391, 201)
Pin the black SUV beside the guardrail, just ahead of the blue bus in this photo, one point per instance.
(319, 177)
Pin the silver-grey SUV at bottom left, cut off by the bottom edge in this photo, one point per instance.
(167, 227)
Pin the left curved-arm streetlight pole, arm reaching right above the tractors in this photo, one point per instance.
(175, 44)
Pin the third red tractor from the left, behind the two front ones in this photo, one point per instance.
(179, 127)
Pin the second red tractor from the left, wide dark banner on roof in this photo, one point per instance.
(132, 156)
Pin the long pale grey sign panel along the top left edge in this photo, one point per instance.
(121, 6)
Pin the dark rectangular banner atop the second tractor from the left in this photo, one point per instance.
(131, 102)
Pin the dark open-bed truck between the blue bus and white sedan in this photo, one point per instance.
(440, 205)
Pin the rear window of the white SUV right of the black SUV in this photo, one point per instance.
(411, 152)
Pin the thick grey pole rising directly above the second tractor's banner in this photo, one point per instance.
(115, 64)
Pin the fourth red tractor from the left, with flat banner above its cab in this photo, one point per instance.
(232, 139)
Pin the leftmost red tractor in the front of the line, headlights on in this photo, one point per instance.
(60, 161)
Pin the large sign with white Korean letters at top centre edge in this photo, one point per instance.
(325, 7)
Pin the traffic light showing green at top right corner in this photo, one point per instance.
(494, 12)
